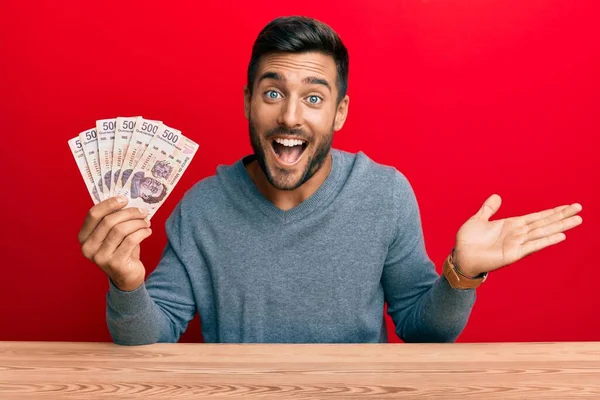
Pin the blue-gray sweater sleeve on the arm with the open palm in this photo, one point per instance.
(422, 304)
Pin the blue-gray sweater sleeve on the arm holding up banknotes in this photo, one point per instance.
(161, 308)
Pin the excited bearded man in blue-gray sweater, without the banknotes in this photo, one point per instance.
(299, 242)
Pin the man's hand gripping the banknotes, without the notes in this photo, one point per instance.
(111, 237)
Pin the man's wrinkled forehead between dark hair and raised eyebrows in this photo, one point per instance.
(293, 67)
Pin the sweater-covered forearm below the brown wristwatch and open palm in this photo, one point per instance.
(439, 315)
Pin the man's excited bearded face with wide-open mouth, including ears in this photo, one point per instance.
(292, 115)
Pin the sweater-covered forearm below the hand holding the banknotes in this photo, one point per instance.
(133, 318)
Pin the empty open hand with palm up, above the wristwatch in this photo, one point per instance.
(483, 245)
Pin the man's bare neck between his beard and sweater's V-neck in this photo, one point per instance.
(287, 199)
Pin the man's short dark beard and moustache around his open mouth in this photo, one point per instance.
(314, 163)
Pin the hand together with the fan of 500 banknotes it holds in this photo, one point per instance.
(129, 165)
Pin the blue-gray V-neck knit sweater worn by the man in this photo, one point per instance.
(318, 273)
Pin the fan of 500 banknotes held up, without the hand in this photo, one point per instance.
(134, 157)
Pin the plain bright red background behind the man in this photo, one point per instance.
(467, 98)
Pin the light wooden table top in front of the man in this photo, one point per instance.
(57, 370)
